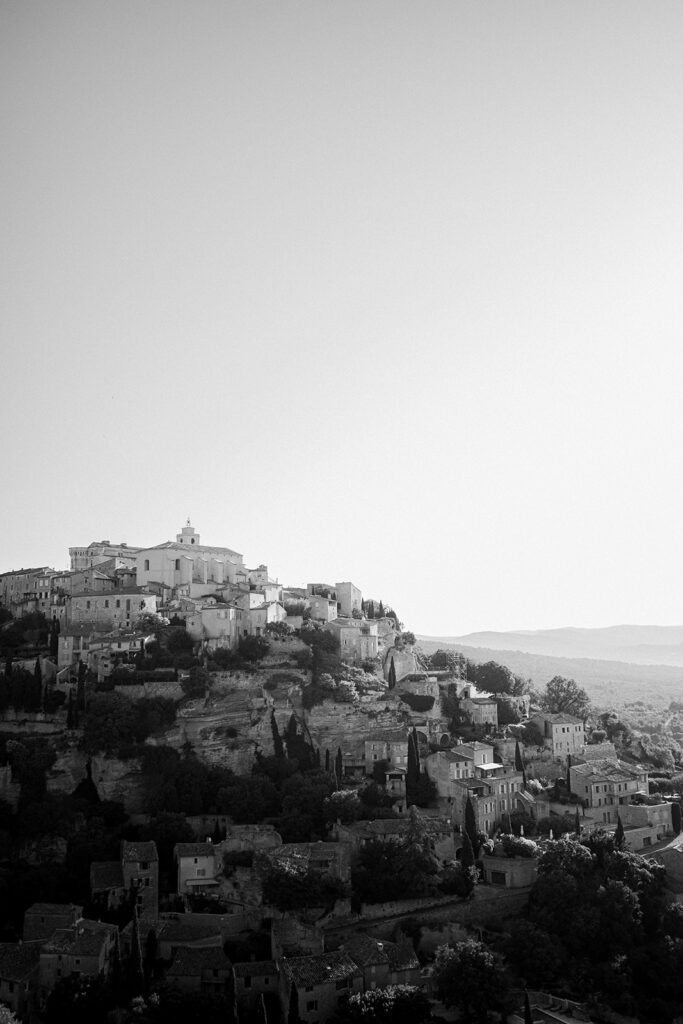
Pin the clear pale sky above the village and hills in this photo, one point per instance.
(383, 291)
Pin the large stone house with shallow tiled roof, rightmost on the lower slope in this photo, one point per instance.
(607, 786)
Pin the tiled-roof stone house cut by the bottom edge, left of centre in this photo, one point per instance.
(320, 985)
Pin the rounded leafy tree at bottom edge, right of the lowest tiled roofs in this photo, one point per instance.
(473, 978)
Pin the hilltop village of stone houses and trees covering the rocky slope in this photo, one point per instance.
(227, 799)
